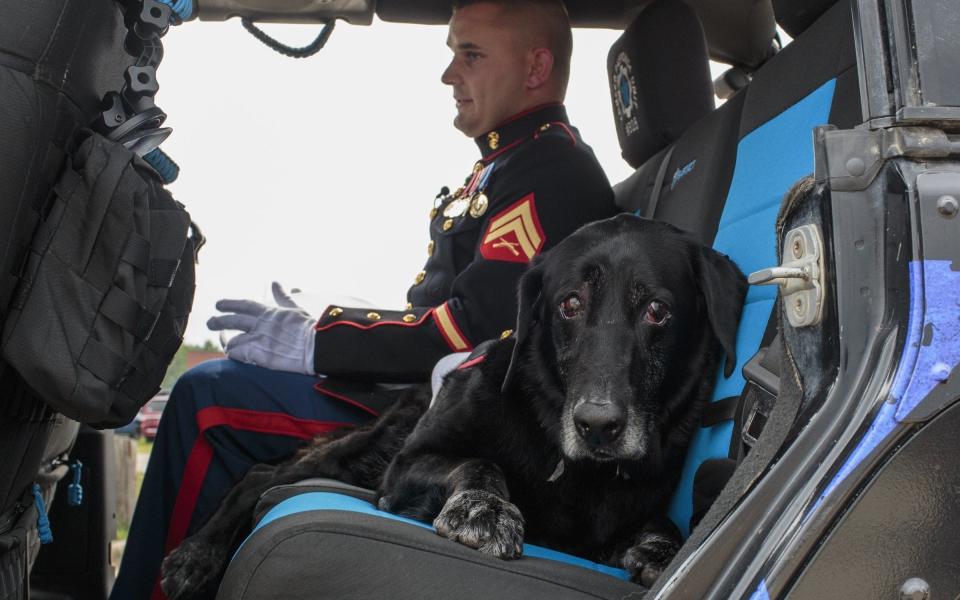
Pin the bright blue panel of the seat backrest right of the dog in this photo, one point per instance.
(770, 159)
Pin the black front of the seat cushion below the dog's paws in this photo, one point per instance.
(342, 554)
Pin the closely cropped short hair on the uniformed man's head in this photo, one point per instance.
(554, 22)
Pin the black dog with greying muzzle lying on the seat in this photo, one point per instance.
(571, 433)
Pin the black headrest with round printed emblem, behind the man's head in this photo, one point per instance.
(659, 79)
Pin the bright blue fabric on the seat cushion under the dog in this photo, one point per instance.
(333, 501)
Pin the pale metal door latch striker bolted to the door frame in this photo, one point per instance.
(801, 277)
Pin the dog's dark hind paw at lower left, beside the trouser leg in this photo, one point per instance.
(193, 570)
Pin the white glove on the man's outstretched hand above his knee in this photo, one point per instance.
(280, 338)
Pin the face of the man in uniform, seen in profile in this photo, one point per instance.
(489, 69)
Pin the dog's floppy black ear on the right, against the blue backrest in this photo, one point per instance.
(724, 288)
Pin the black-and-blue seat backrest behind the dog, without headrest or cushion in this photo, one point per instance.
(812, 82)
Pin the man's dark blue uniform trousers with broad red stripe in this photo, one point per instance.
(222, 418)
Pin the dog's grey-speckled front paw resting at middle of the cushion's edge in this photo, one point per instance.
(483, 521)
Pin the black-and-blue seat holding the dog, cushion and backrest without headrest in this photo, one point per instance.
(724, 179)
